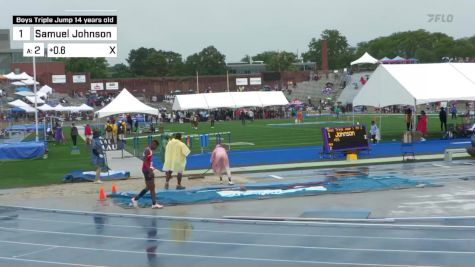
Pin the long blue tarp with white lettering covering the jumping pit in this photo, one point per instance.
(303, 187)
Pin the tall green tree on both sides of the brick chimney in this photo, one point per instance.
(338, 49)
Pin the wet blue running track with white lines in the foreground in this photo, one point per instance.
(42, 237)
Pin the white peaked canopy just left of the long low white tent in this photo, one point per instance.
(125, 102)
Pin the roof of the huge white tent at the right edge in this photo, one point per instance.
(414, 84)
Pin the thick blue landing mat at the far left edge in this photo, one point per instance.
(21, 150)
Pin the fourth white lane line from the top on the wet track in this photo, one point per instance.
(209, 257)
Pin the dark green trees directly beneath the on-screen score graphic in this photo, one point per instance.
(96, 66)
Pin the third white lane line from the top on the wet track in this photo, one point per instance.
(243, 244)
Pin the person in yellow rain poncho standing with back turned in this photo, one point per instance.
(175, 160)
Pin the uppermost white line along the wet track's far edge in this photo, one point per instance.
(251, 222)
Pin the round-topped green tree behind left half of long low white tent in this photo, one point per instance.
(207, 62)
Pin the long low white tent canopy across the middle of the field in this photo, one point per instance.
(229, 100)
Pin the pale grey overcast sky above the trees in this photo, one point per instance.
(241, 27)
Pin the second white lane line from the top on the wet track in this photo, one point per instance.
(258, 233)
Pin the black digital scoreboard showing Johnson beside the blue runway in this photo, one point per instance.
(345, 138)
